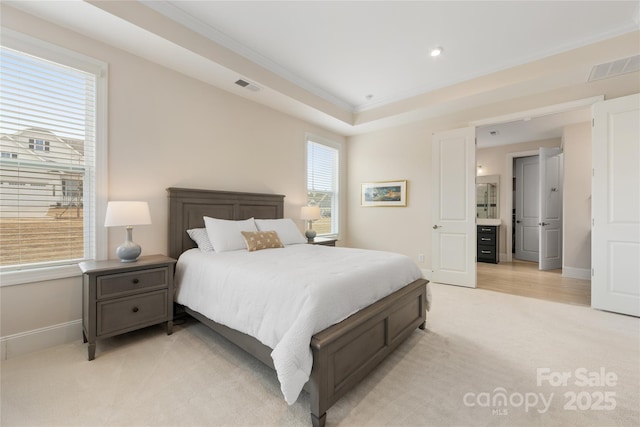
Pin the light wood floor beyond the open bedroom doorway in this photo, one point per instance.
(524, 279)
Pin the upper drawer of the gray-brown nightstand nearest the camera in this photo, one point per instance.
(114, 285)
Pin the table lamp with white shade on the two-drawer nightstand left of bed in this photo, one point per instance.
(127, 214)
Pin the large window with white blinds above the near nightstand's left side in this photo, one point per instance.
(52, 102)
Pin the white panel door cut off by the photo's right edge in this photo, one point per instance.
(615, 206)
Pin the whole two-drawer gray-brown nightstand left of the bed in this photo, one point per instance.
(120, 297)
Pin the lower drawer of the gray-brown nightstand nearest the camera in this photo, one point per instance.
(132, 312)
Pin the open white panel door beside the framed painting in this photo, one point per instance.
(453, 207)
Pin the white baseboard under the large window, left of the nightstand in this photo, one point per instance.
(39, 339)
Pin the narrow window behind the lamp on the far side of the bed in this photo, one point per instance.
(323, 183)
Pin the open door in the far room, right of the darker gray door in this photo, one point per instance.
(550, 226)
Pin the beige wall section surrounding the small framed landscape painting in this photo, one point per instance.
(385, 156)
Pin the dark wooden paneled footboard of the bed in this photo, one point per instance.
(345, 353)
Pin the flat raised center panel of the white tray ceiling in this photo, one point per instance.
(345, 51)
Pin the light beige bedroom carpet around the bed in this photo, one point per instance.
(486, 359)
